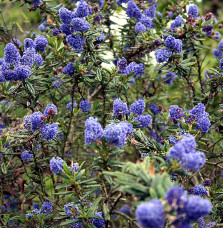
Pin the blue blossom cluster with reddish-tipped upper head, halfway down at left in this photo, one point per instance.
(35, 122)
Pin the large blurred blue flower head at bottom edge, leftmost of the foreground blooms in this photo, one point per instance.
(151, 214)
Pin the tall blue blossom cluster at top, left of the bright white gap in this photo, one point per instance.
(74, 22)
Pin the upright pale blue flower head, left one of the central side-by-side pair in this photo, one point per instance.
(93, 130)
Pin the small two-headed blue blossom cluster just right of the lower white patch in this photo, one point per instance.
(133, 68)
